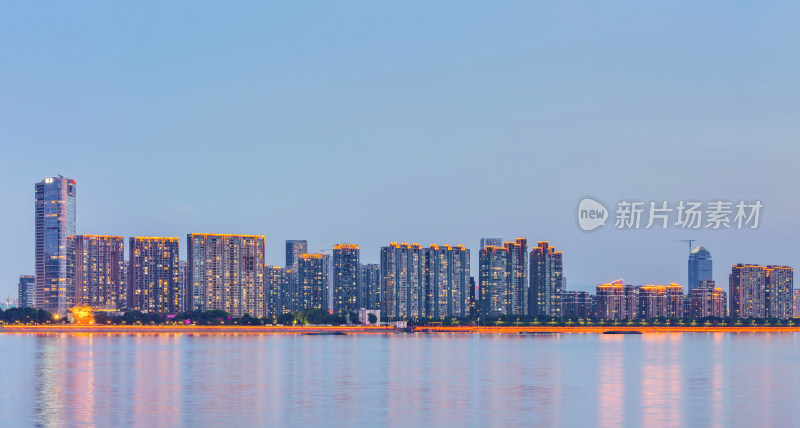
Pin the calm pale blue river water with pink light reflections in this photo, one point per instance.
(671, 379)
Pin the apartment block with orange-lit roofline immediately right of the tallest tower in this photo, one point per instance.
(97, 262)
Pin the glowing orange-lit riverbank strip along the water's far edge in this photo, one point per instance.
(331, 330)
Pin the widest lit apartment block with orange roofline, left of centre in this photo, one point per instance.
(226, 272)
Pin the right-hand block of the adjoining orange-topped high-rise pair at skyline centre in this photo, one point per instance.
(446, 281)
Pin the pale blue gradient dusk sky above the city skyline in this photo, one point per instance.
(430, 122)
